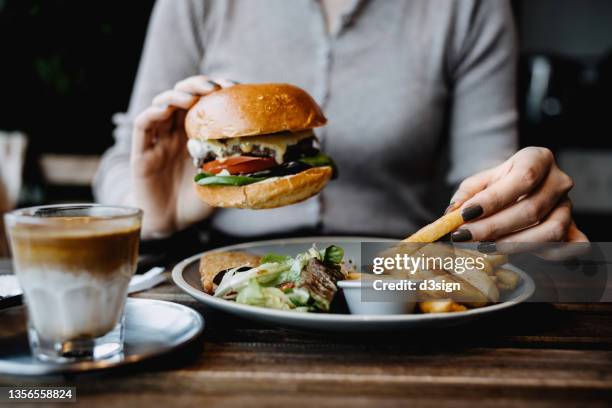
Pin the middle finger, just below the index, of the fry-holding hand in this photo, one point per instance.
(523, 214)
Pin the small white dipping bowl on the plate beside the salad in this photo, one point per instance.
(353, 290)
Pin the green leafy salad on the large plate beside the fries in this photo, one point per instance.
(305, 283)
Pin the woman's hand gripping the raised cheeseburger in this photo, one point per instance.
(162, 172)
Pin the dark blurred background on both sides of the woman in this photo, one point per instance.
(69, 65)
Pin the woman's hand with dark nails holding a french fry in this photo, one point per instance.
(520, 201)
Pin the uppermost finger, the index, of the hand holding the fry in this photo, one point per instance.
(529, 168)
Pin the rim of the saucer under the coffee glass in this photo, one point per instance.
(46, 369)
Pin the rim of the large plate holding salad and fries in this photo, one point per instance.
(293, 317)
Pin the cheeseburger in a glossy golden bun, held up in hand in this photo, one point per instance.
(254, 147)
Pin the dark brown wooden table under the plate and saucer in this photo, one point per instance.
(532, 355)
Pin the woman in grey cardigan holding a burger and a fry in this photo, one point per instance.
(402, 82)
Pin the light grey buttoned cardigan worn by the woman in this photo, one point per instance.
(401, 82)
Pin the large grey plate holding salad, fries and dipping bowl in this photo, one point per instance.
(187, 277)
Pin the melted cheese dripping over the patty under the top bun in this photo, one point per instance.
(276, 142)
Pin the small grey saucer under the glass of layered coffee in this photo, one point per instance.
(152, 327)
